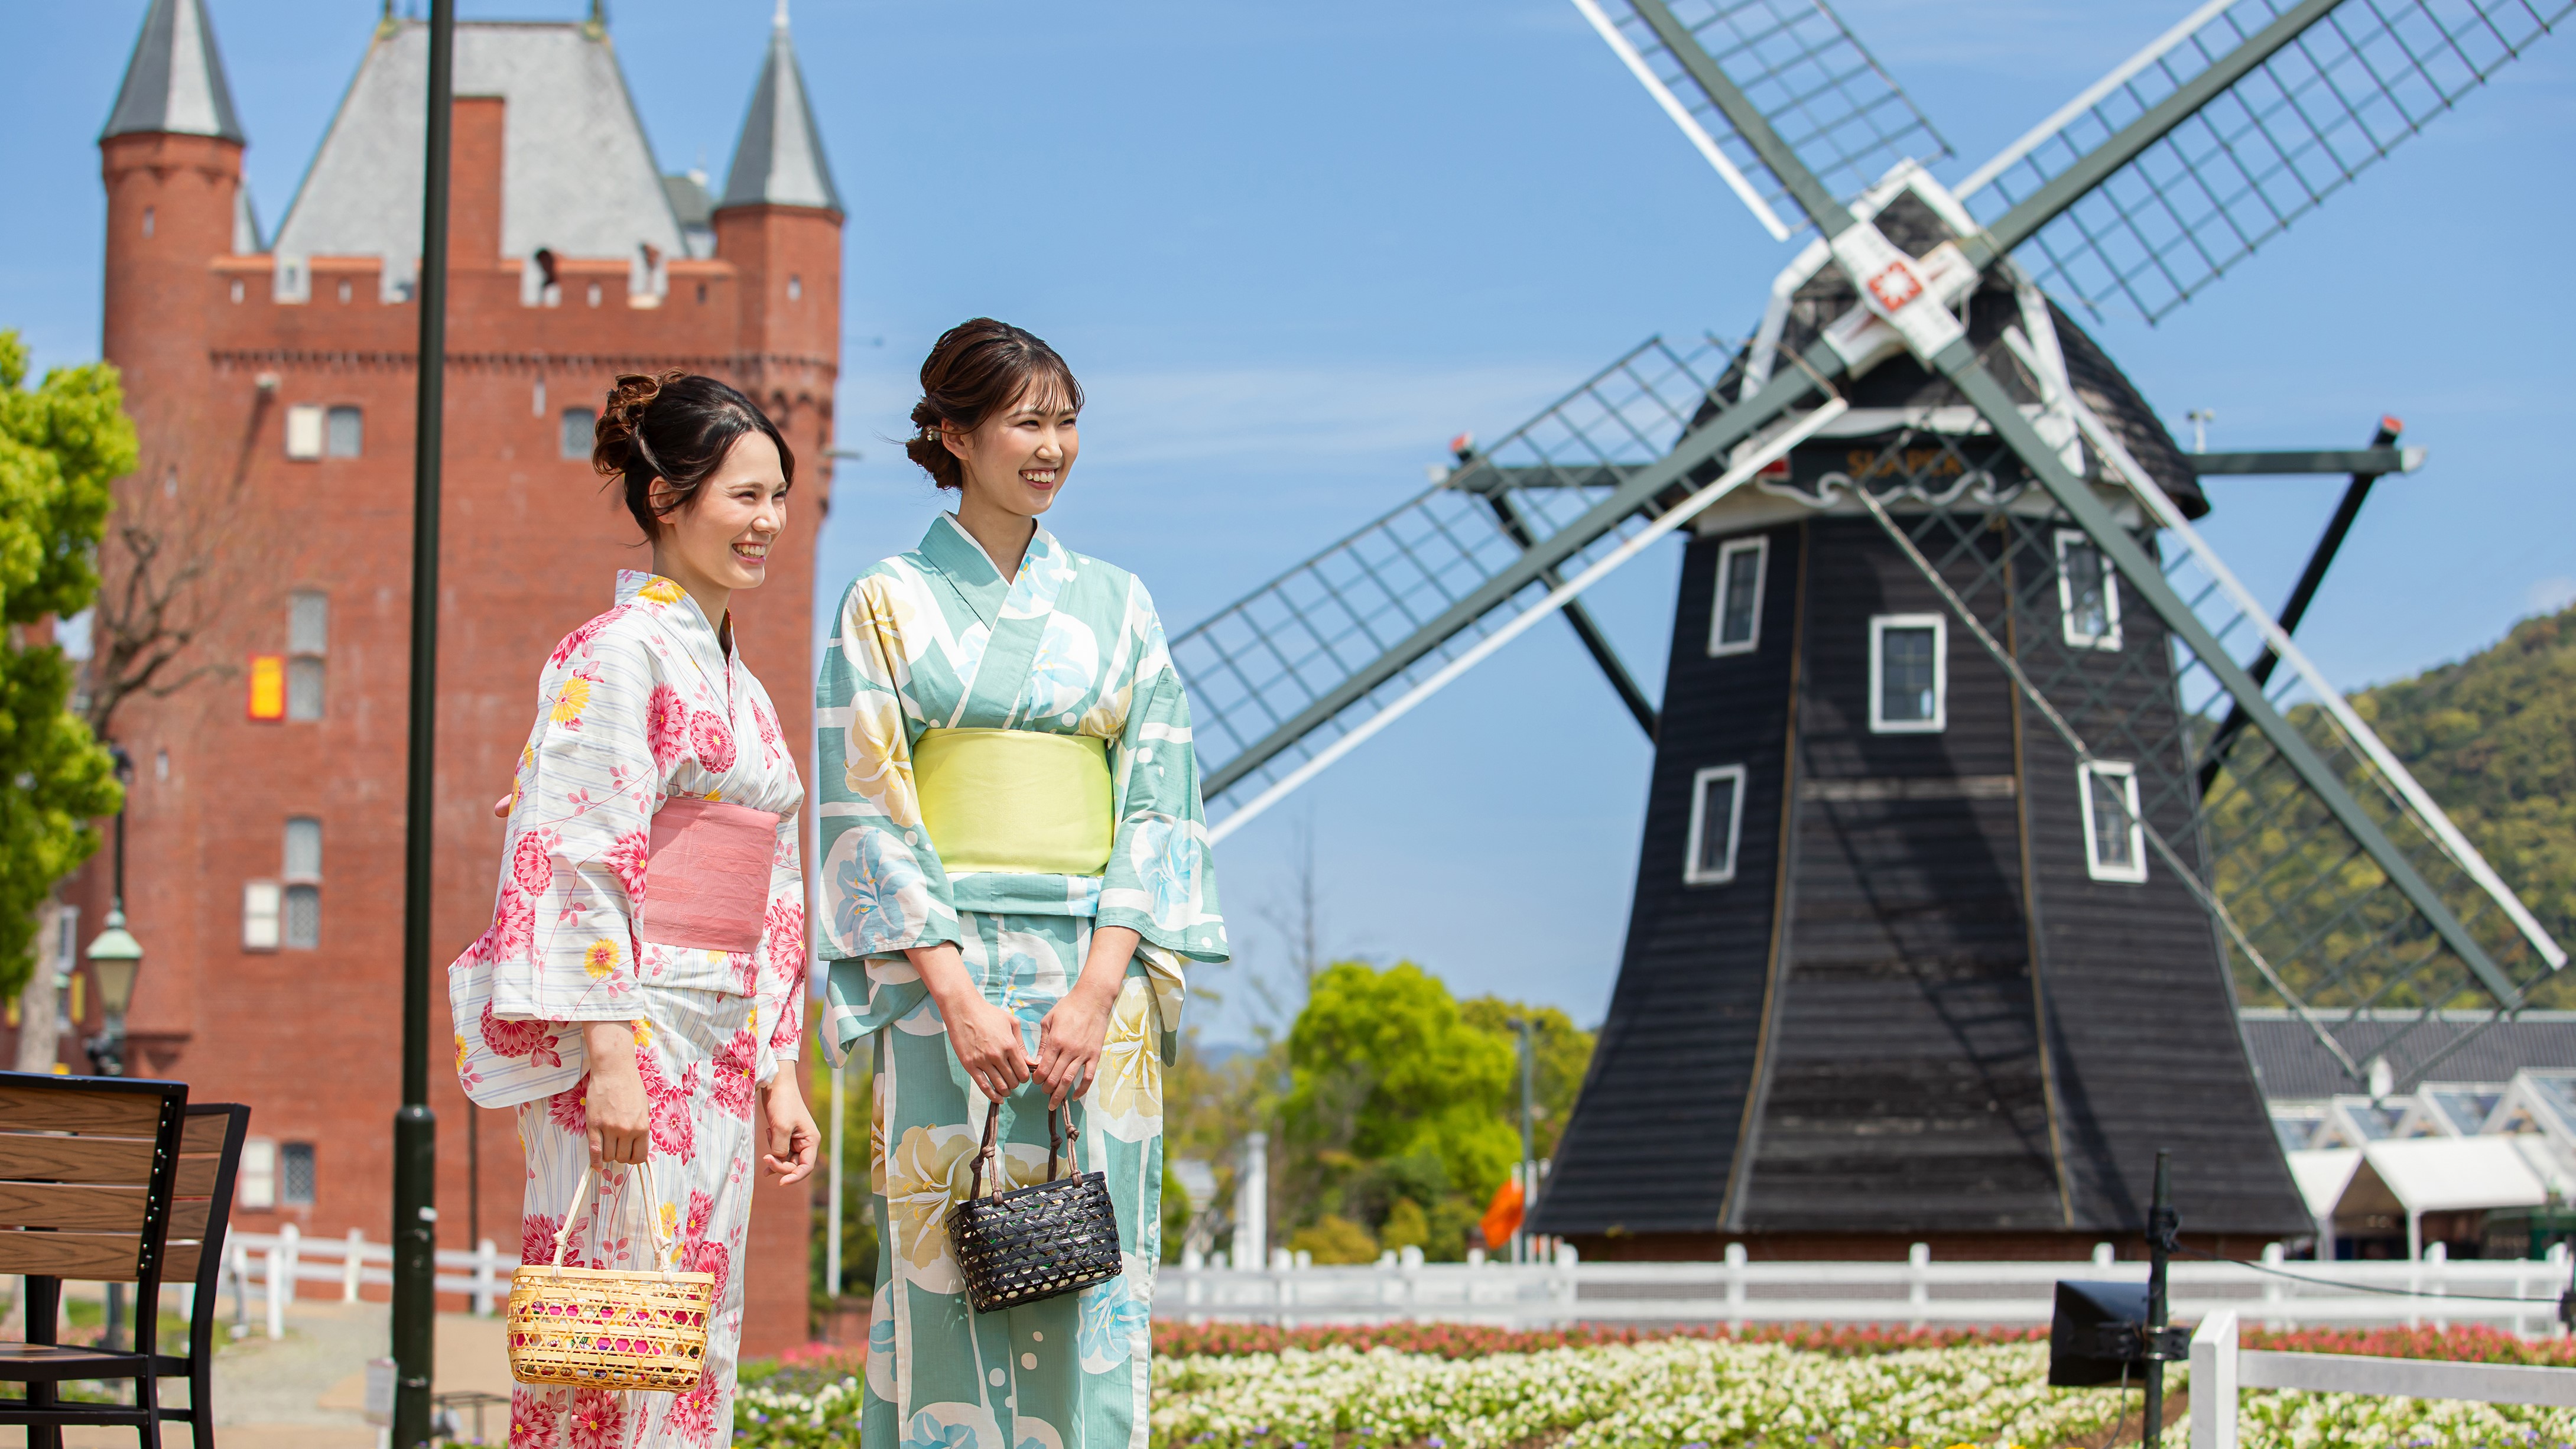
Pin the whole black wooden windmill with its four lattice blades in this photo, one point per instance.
(1982, 789)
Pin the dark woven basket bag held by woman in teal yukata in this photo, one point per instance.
(1034, 1242)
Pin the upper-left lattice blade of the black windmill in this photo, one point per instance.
(1807, 73)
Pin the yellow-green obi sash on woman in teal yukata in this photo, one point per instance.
(1011, 799)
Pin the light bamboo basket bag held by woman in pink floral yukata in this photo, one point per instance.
(609, 1329)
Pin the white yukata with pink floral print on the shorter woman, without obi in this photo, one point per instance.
(638, 706)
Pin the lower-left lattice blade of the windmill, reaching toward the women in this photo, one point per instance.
(1310, 655)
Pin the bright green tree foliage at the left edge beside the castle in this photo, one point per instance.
(61, 447)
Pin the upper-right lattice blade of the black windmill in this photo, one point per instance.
(2260, 153)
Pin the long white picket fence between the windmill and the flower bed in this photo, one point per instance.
(1913, 1293)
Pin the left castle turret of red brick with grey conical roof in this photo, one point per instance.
(171, 158)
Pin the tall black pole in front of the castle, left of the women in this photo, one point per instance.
(416, 1131)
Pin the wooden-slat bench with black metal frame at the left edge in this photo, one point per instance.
(109, 1180)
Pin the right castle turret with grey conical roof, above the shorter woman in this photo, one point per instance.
(779, 225)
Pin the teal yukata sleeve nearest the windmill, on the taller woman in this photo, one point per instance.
(1160, 879)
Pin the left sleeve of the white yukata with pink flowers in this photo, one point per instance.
(563, 928)
